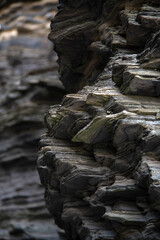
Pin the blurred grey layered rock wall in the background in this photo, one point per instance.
(28, 85)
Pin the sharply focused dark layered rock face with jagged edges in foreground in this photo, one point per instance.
(99, 161)
